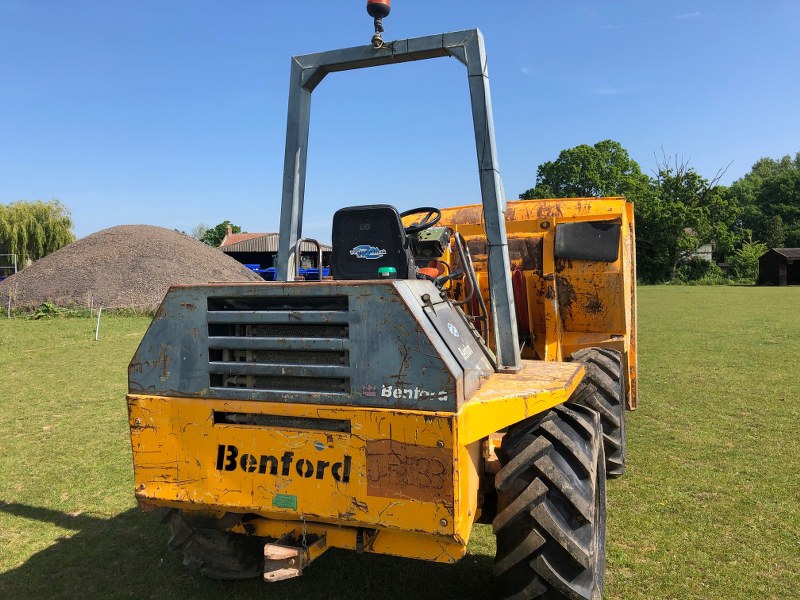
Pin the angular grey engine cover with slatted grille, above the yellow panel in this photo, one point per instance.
(368, 343)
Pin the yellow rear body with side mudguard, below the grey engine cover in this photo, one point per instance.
(407, 482)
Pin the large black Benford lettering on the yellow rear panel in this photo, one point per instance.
(230, 459)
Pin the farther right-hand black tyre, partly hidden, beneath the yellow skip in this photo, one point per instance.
(603, 389)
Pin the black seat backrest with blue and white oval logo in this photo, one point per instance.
(366, 238)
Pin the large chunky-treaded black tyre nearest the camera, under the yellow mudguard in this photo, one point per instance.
(551, 521)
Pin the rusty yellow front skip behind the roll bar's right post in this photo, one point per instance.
(571, 304)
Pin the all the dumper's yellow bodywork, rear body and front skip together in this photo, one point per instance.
(402, 482)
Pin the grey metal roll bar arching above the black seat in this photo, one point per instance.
(468, 47)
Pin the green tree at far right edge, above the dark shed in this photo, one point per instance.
(769, 198)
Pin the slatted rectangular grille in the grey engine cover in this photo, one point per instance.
(280, 345)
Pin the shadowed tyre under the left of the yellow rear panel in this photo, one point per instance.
(218, 554)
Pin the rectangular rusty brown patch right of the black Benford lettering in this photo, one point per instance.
(406, 471)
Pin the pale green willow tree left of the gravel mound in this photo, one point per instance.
(32, 230)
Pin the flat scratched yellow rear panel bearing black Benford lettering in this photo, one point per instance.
(392, 469)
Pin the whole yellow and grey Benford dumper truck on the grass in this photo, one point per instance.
(460, 365)
